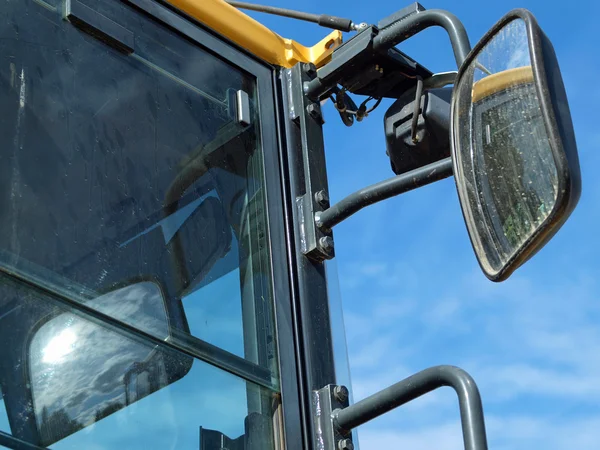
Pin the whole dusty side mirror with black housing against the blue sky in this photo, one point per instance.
(513, 146)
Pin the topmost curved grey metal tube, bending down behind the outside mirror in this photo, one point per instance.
(413, 24)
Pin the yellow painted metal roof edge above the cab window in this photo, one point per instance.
(255, 37)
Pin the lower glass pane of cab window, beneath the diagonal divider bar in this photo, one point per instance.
(95, 386)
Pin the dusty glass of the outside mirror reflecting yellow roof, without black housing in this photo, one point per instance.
(504, 159)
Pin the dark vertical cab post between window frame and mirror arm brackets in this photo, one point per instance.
(302, 136)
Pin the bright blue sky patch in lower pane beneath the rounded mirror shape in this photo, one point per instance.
(206, 397)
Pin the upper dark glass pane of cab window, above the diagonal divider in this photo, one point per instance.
(118, 168)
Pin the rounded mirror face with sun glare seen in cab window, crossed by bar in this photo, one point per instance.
(81, 371)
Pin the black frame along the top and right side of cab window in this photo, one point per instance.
(293, 418)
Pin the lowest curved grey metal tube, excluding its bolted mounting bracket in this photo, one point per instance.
(471, 410)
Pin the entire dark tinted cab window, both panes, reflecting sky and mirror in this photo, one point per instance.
(134, 254)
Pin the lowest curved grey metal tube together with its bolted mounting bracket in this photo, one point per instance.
(343, 419)
